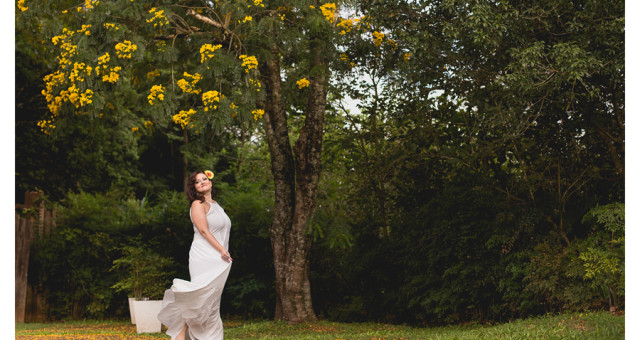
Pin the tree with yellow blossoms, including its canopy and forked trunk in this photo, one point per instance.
(197, 69)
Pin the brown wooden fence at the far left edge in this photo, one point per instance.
(33, 220)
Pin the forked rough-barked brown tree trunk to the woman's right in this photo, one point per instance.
(296, 181)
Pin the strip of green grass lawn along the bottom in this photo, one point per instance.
(600, 325)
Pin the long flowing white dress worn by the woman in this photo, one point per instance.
(197, 303)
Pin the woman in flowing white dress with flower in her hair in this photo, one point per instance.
(191, 309)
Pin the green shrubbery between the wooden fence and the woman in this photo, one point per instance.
(72, 265)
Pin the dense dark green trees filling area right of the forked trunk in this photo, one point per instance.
(479, 146)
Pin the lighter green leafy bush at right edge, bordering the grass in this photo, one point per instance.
(577, 276)
